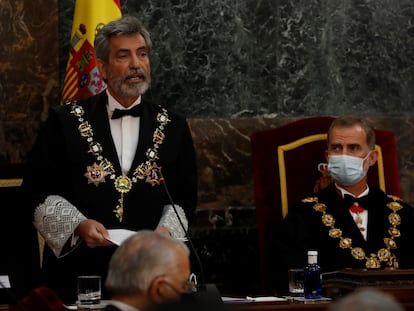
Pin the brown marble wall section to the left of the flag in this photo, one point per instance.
(29, 72)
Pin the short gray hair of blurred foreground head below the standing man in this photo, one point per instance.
(140, 259)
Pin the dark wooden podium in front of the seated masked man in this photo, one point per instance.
(398, 282)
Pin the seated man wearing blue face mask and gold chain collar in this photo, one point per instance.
(350, 223)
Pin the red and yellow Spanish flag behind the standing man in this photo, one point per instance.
(82, 77)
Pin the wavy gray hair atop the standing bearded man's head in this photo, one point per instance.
(126, 25)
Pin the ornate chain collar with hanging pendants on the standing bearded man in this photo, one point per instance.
(102, 167)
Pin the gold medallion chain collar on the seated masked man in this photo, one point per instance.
(374, 260)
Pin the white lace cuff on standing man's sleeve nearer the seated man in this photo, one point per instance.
(172, 223)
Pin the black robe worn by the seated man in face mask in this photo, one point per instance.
(303, 230)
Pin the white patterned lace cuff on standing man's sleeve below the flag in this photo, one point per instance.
(56, 219)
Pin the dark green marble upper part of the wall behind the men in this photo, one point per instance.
(230, 58)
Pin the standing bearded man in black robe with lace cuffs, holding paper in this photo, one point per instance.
(95, 166)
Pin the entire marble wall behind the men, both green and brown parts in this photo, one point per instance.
(233, 67)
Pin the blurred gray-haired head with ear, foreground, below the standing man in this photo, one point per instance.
(149, 268)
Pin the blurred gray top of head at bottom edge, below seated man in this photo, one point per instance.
(367, 299)
